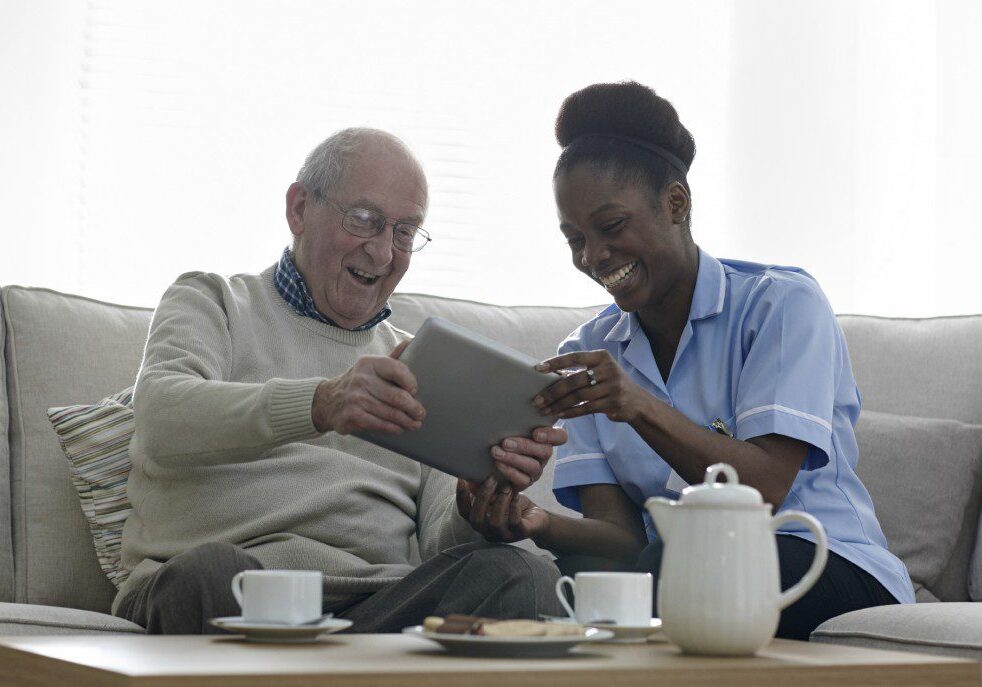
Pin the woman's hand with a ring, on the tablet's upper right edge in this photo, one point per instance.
(600, 386)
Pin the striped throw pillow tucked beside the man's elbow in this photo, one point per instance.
(96, 442)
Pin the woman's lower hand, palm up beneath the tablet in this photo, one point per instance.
(502, 516)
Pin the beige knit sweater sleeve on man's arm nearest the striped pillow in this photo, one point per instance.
(186, 411)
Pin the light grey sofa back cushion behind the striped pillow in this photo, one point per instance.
(61, 349)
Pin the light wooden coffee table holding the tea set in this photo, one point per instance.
(362, 660)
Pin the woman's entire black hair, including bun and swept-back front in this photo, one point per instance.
(593, 123)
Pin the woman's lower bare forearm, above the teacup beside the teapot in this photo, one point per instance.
(565, 535)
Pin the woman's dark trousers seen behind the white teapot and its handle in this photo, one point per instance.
(842, 587)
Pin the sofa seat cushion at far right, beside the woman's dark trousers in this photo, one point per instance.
(951, 629)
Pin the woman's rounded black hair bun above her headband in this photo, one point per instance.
(627, 109)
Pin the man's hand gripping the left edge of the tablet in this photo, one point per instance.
(377, 394)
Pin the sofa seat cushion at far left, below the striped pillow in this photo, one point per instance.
(31, 619)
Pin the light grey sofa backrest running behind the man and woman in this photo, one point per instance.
(61, 349)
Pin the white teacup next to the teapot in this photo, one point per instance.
(621, 598)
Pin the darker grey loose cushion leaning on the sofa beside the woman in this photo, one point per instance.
(925, 478)
